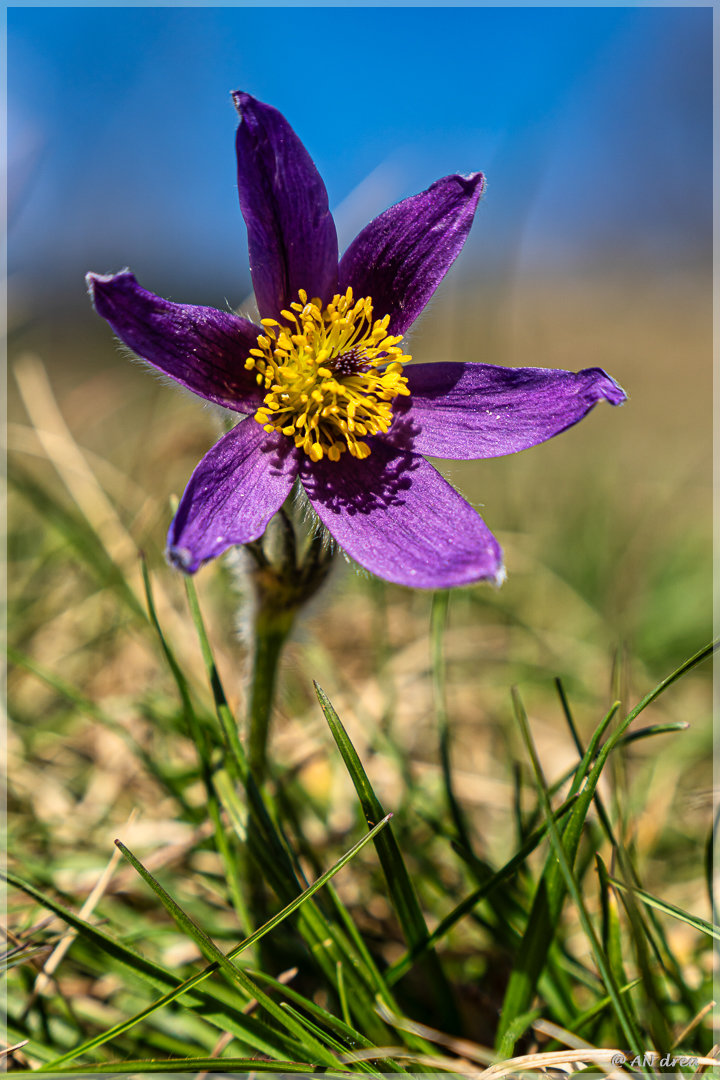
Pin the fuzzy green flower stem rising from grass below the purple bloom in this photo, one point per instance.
(270, 634)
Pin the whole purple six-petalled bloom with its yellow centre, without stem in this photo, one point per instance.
(327, 382)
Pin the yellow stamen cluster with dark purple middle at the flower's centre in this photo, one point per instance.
(331, 375)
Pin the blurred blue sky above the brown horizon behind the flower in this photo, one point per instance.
(593, 126)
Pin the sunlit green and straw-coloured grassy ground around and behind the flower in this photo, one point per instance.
(606, 533)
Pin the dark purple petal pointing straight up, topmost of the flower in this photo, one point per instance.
(291, 233)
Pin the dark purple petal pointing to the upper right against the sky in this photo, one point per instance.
(401, 258)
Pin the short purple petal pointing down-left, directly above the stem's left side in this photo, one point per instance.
(233, 495)
